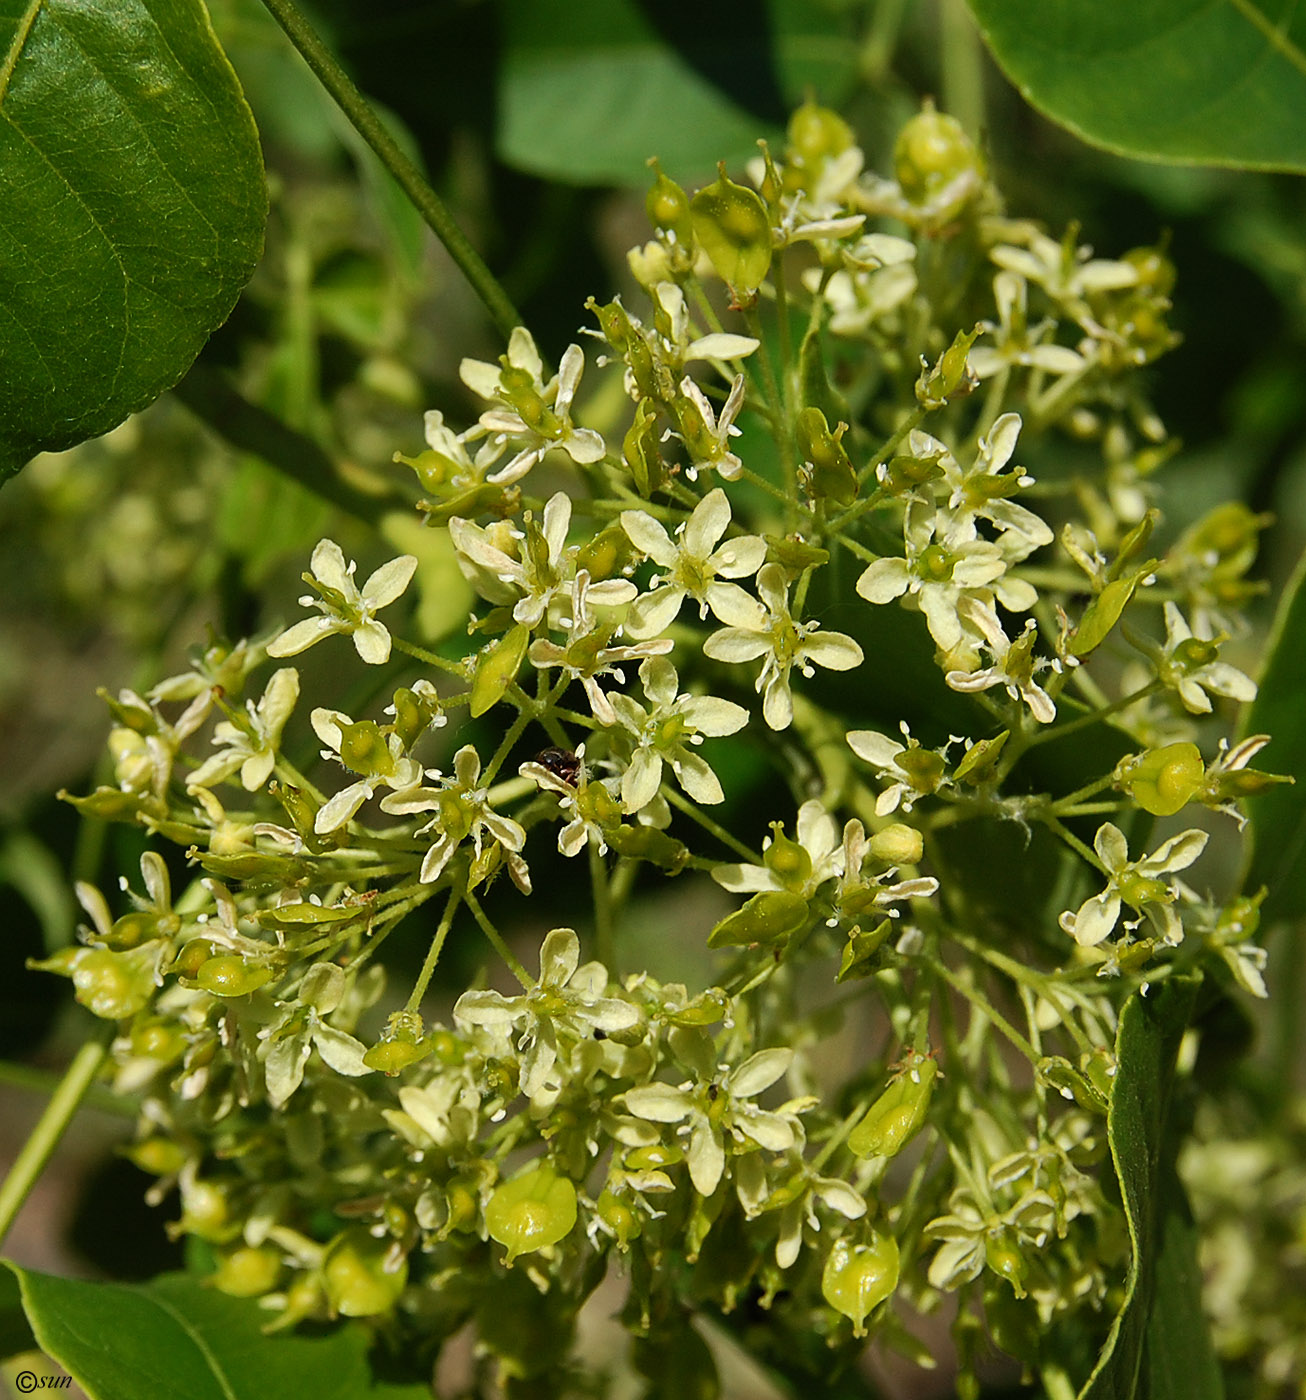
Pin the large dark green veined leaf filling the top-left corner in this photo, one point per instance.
(134, 198)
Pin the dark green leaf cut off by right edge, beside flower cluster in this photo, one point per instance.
(1279, 817)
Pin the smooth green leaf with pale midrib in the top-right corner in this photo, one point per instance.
(1198, 82)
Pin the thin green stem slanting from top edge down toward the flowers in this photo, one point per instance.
(411, 180)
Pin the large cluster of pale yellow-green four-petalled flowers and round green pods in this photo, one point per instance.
(801, 670)
